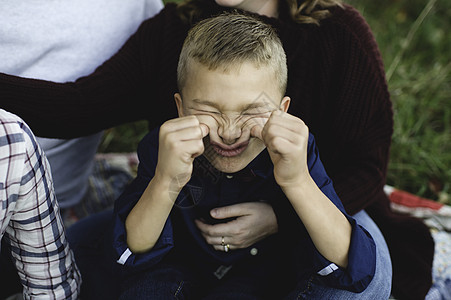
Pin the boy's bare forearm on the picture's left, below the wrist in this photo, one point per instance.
(146, 220)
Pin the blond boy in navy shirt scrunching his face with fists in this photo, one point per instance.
(232, 124)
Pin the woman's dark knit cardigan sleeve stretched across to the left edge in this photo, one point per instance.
(110, 96)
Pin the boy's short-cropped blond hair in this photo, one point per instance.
(229, 40)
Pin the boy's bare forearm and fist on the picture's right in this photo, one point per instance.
(286, 138)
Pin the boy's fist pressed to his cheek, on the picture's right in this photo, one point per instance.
(286, 138)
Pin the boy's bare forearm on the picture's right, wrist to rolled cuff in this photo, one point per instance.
(328, 228)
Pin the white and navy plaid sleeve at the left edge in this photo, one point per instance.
(29, 216)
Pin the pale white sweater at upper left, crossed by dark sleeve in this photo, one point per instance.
(62, 40)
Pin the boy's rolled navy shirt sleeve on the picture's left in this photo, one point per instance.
(147, 153)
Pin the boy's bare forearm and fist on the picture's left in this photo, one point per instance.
(180, 141)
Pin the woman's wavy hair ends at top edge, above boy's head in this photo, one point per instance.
(303, 12)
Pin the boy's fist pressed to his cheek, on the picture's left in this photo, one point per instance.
(180, 141)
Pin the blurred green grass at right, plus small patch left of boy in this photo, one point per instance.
(415, 42)
